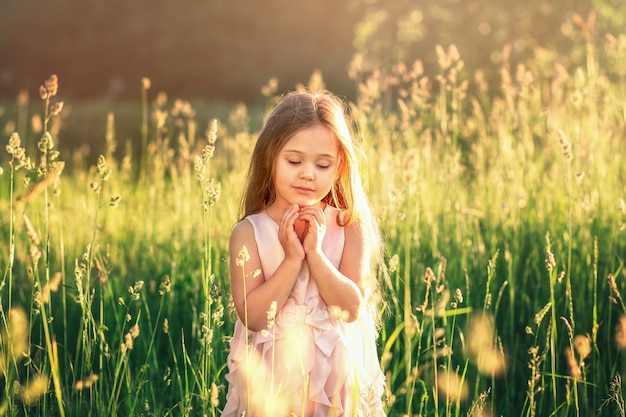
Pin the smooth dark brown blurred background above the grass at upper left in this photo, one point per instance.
(187, 47)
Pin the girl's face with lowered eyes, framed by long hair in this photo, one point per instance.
(306, 167)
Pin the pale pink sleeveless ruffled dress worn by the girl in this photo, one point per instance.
(310, 362)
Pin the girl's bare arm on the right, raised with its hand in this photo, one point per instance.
(340, 287)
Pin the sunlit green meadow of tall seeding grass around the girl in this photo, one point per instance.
(504, 218)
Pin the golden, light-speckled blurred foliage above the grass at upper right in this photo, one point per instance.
(486, 32)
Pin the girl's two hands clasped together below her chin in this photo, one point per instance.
(301, 230)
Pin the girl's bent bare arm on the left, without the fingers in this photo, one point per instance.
(251, 292)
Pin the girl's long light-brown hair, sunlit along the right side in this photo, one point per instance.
(298, 110)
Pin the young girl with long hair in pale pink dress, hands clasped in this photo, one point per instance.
(302, 280)
